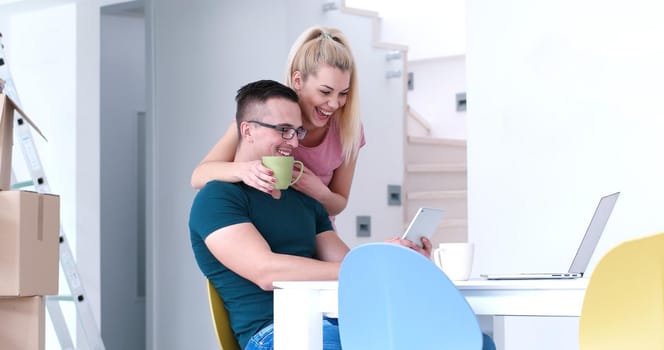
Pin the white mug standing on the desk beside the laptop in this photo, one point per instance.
(455, 259)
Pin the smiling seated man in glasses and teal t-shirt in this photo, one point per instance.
(244, 239)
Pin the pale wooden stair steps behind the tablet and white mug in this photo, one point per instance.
(435, 176)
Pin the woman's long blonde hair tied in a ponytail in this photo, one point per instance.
(320, 45)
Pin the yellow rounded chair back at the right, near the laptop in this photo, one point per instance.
(623, 307)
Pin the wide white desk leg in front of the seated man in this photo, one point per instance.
(298, 321)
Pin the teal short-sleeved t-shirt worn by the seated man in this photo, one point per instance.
(289, 225)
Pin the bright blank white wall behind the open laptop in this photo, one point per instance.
(565, 107)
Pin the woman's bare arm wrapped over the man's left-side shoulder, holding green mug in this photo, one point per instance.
(218, 164)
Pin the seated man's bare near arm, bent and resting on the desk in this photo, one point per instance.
(242, 249)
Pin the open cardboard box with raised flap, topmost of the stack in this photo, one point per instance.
(7, 108)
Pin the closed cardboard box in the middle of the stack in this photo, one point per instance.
(29, 243)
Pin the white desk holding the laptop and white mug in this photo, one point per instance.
(300, 305)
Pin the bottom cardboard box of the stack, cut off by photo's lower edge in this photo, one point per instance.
(22, 321)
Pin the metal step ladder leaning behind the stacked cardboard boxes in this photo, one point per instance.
(39, 183)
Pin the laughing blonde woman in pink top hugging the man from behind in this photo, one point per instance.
(321, 69)
